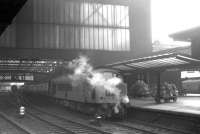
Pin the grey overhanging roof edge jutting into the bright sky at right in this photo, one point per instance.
(186, 35)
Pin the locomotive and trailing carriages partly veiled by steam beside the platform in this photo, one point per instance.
(105, 99)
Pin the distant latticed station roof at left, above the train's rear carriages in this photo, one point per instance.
(29, 65)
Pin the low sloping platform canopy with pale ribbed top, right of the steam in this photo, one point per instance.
(155, 62)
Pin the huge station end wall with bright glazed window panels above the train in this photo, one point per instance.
(104, 30)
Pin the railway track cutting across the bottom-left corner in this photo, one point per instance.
(9, 126)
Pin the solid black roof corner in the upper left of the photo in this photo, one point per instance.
(8, 10)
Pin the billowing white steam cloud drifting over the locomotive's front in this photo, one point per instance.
(83, 71)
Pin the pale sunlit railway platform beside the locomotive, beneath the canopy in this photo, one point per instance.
(189, 105)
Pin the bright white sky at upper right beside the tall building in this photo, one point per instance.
(171, 16)
